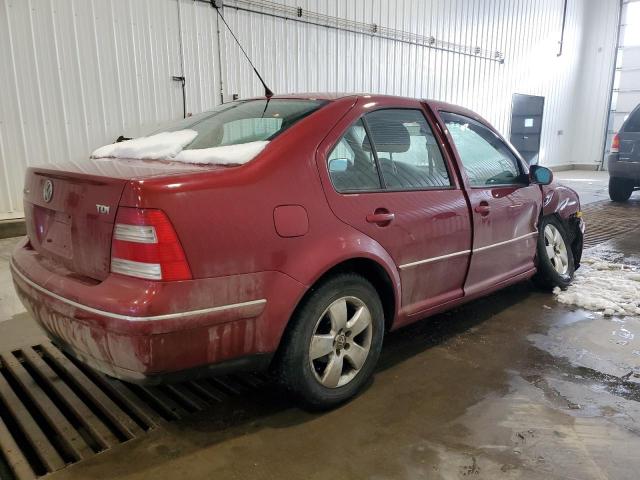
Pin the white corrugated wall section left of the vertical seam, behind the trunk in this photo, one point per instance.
(76, 74)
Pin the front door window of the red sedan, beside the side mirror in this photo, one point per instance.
(485, 158)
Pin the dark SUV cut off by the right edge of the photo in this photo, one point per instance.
(624, 160)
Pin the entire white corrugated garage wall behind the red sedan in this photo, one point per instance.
(75, 74)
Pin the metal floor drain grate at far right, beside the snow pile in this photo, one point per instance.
(606, 220)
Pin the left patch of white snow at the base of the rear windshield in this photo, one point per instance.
(161, 146)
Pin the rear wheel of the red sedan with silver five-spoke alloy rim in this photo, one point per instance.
(333, 344)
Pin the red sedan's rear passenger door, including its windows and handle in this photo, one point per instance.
(385, 174)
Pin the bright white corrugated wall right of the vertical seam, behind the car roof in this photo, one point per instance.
(296, 57)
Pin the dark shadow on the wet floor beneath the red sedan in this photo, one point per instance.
(268, 408)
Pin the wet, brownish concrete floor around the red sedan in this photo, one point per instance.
(511, 386)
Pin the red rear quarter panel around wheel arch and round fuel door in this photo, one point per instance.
(225, 218)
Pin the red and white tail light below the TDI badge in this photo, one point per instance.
(145, 245)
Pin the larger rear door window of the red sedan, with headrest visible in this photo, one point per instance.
(408, 154)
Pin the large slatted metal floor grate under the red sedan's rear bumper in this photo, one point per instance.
(55, 411)
